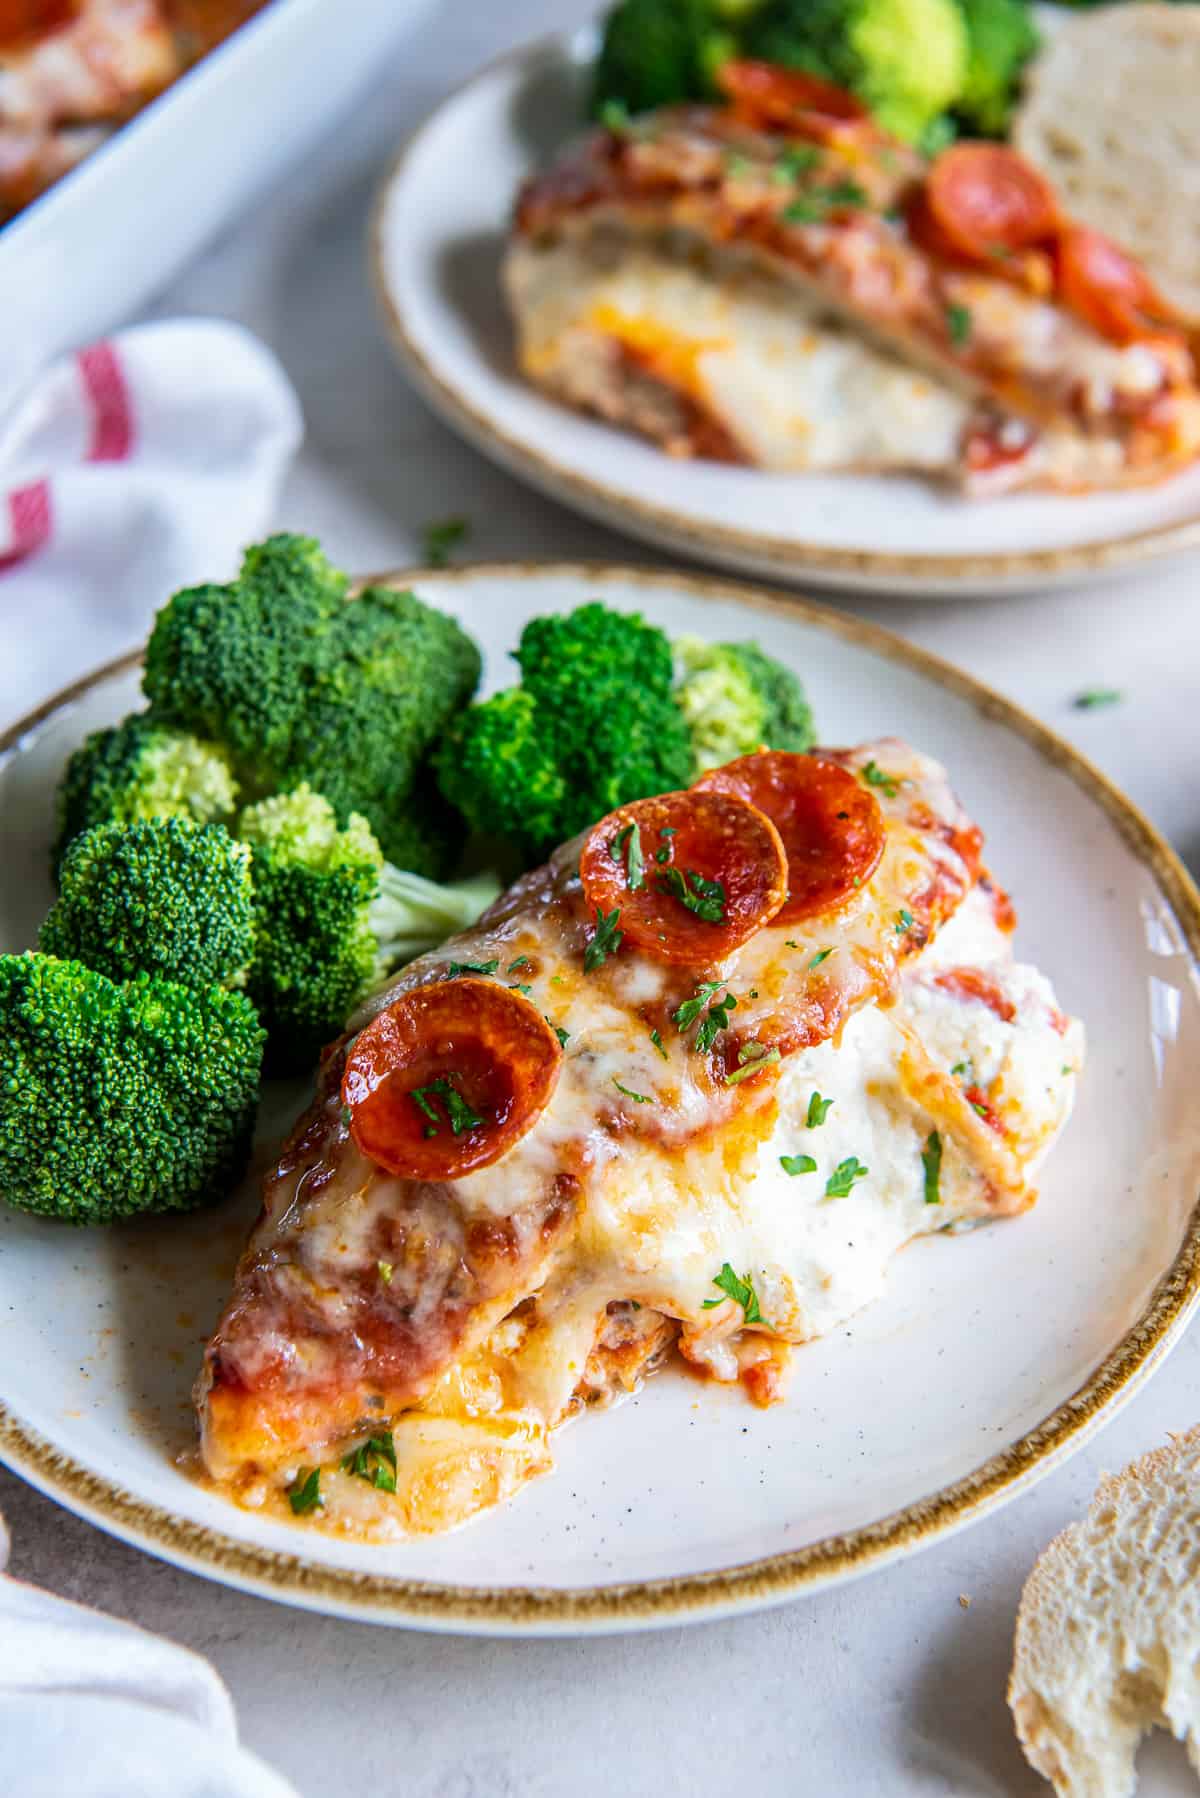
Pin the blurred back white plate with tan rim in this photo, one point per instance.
(436, 251)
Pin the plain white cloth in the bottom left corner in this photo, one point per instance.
(105, 1711)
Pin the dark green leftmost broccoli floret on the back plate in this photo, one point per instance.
(656, 53)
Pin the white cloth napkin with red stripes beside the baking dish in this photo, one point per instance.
(132, 468)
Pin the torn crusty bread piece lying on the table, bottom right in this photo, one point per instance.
(1109, 1630)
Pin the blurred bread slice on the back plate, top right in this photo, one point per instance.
(1113, 118)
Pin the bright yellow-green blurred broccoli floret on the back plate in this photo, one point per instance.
(906, 58)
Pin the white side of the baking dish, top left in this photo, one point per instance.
(93, 249)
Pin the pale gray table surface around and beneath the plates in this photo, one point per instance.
(882, 1687)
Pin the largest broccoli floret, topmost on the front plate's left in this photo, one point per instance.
(305, 686)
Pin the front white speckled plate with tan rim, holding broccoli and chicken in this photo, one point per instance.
(987, 1362)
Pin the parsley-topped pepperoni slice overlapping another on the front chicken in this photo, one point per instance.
(690, 875)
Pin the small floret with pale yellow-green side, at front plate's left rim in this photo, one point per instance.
(143, 770)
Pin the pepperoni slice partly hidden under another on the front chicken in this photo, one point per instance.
(832, 828)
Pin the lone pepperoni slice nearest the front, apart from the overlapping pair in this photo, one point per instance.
(449, 1078)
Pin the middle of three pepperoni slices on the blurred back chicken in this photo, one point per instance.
(983, 199)
